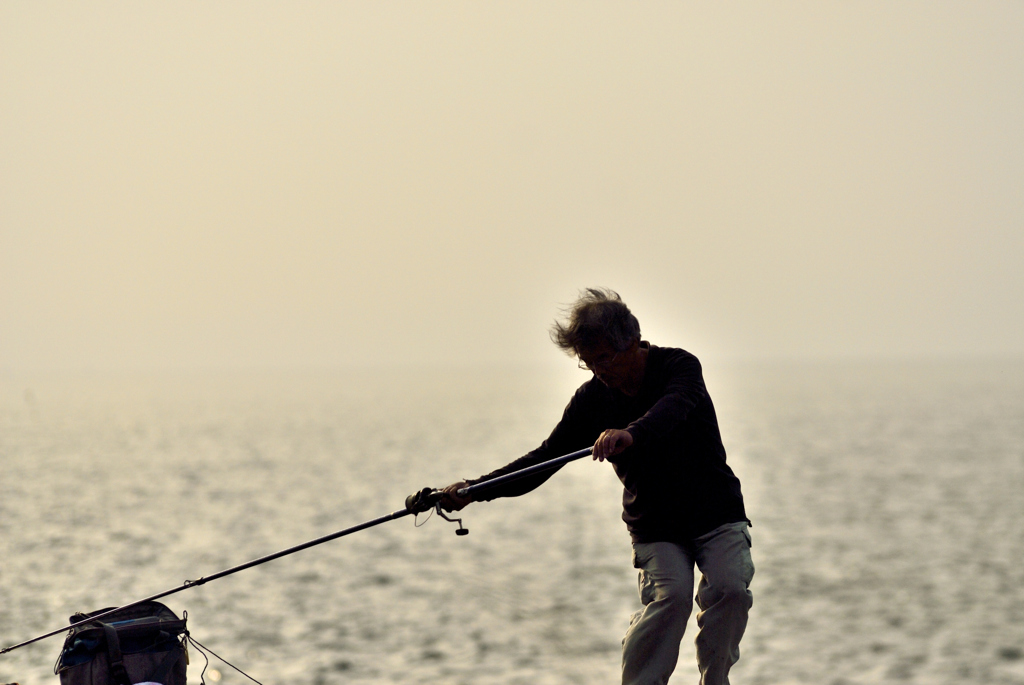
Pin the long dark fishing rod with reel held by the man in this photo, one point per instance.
(417, 503)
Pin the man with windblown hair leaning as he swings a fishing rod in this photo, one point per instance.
(647, 411)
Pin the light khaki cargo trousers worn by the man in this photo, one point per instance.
(651, 648)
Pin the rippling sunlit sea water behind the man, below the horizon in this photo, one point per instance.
(888, 503)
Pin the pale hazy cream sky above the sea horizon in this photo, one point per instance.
(338, 184)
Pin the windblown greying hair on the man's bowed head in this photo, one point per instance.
(599, 316)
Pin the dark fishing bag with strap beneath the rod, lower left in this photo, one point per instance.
(145, 644)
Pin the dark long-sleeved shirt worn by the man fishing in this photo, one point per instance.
(676, 485)
